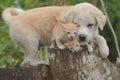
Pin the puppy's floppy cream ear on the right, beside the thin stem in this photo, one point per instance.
(101, 19)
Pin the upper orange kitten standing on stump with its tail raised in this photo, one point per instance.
(62, 32)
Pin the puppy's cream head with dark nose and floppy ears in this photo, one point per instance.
(88, 19)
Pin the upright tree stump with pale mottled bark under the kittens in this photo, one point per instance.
(83, 65)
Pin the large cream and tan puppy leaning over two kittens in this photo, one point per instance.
(33, 28)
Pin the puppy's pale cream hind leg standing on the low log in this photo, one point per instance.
(31, 51)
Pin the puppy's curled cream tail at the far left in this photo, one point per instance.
(10, 13)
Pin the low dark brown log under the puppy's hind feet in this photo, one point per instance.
(40, 72)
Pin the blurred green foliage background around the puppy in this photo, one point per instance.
(11, 56)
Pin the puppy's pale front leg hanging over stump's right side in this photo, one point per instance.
(102, 44)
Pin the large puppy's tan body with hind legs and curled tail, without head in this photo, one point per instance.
(31, 29)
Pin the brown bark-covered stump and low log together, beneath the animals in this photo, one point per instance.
(65, 65)
